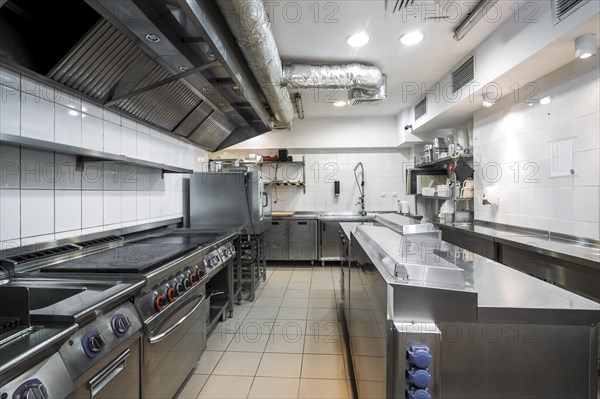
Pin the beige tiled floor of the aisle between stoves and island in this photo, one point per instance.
(287, 344)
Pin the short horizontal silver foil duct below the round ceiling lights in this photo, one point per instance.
(351, 76)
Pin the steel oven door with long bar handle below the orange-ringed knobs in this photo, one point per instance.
(173, 347)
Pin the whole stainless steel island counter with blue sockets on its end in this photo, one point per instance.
(424, 322)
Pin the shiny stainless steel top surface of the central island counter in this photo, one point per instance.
(502, 293)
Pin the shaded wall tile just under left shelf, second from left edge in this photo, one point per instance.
(37, 170)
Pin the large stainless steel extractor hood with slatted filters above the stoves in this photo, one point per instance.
(153, 60)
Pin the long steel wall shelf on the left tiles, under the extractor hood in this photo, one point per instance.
(85, 155)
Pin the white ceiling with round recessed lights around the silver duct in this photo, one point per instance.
(305, 35)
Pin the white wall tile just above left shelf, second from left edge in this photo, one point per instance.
(37, 118)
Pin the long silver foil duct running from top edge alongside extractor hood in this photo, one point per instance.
(249, 23)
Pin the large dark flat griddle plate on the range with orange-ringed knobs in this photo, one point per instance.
(130, 258)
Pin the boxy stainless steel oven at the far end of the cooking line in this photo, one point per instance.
(228, 200)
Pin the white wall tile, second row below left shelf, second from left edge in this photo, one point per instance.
(37, 212)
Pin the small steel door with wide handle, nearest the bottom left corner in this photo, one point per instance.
(117, 376)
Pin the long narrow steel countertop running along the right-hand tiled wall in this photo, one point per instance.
(573, 251)
